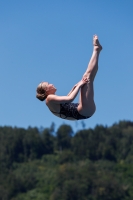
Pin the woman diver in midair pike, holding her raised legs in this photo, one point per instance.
(62, 106)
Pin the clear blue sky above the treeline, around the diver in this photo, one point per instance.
(52, 41)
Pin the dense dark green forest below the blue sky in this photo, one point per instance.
(91, 164)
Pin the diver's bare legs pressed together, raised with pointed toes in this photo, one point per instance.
(86, 103)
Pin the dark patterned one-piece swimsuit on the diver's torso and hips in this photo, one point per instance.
(70, 110)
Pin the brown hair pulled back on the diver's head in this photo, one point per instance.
(41, 92)
